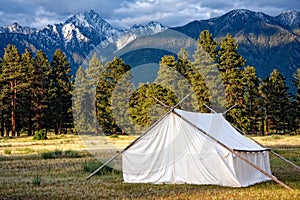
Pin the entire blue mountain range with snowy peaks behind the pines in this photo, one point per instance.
(266, 42)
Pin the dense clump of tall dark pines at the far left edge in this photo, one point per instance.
(35, 93)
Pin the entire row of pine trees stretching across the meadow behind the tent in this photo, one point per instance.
(36, 93)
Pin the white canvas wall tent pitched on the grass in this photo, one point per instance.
(195, 148)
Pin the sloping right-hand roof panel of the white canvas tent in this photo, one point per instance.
(219, 128)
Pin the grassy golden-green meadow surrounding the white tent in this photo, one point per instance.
(57, 168)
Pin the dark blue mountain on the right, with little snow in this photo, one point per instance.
(265, 42)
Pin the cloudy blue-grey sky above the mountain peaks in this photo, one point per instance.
(123, 14)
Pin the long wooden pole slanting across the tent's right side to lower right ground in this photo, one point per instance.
(235, 152)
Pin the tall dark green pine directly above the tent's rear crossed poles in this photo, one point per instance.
(230, 66)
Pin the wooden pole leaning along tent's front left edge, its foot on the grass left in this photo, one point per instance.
(132, 143)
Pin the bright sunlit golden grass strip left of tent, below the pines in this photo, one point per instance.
(26, 145)
